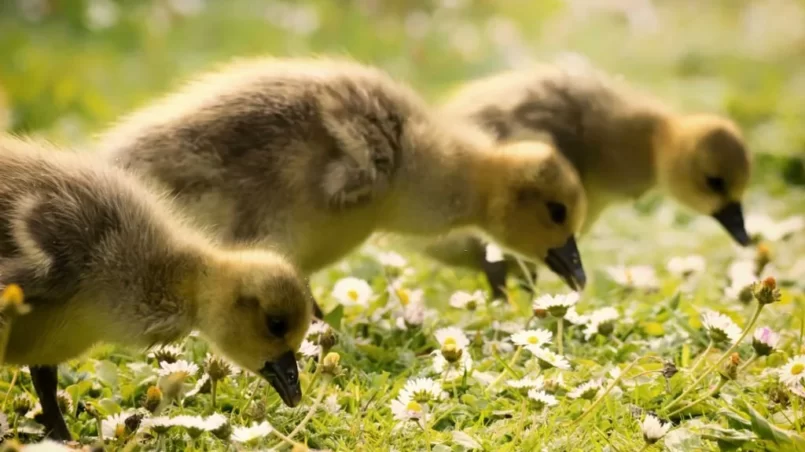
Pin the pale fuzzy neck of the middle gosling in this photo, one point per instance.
(436, 188)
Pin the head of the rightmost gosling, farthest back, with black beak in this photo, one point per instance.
(707, 169)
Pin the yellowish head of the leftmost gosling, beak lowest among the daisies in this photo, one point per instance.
(256, 310)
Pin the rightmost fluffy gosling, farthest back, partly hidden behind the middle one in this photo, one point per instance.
(621, 141)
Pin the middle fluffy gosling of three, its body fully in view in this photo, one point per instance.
(314, 155)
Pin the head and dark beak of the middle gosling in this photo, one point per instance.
(536, 206)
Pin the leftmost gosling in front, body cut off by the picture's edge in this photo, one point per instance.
(99, 258)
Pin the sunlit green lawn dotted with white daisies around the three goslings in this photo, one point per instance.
(681, 341)
